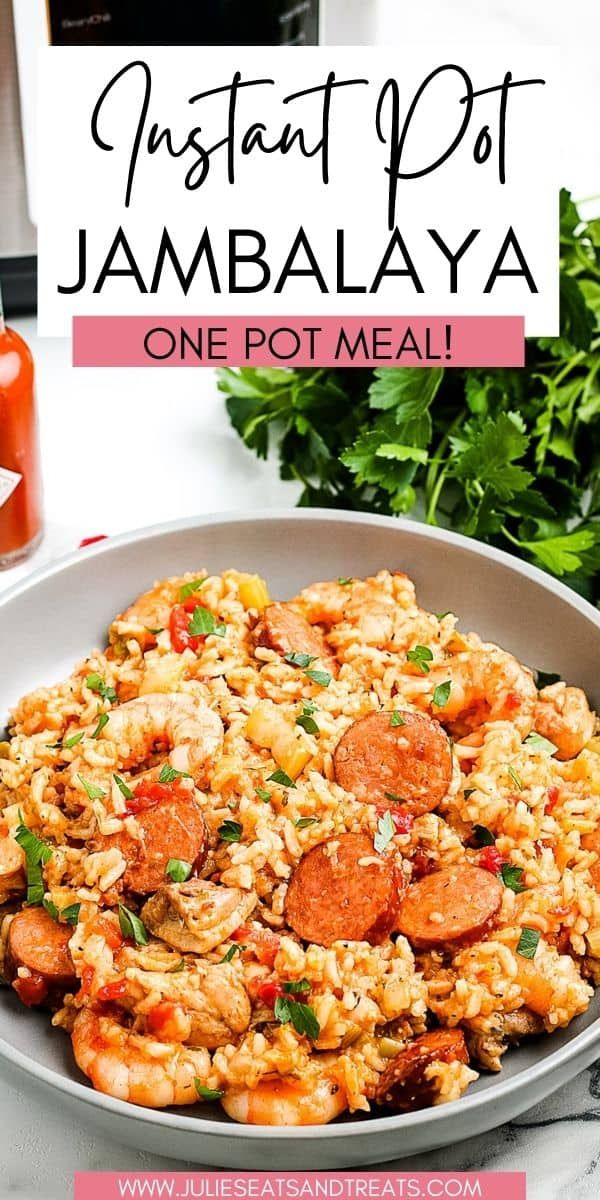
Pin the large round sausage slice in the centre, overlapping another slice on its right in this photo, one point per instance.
(344, 891)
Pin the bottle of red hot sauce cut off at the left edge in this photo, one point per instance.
(21, 491)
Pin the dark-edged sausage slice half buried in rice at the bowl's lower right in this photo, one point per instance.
(404, 1085)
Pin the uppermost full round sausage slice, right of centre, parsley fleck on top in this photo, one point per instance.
(383, 764)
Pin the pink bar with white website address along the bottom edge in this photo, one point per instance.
(301, 1186)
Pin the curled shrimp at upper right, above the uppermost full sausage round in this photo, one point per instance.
(487, 685)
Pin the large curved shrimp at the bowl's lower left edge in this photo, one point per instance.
(135, 1067)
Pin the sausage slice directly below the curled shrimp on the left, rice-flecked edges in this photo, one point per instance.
(172, 830)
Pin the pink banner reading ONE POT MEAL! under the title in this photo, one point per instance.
(298, 341)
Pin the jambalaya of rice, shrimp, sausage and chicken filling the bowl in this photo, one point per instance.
(301, 859)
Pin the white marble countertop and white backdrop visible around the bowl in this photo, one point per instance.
(189, 461)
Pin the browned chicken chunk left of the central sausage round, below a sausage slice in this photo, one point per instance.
(197, 916)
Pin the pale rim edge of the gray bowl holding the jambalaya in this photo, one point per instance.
(579, 1046)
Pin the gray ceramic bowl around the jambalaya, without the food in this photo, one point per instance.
(58, 615)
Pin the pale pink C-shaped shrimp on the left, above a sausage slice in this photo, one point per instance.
(189, 727)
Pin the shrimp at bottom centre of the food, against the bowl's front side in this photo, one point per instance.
(317, 1099)
